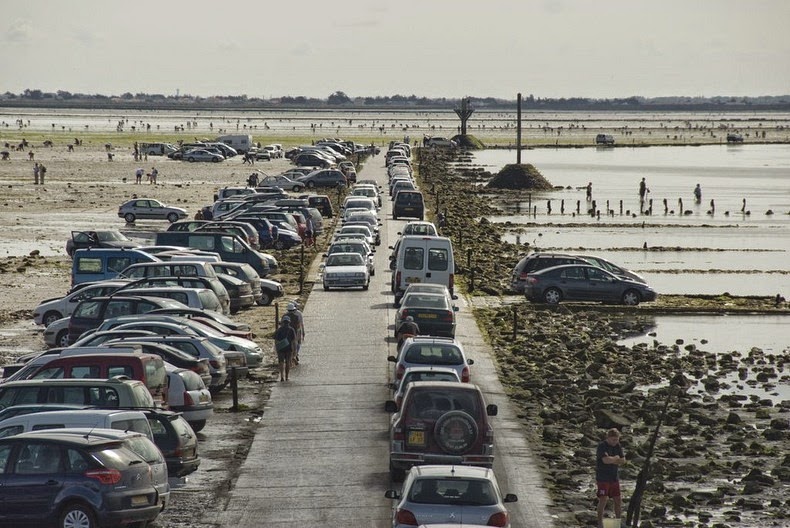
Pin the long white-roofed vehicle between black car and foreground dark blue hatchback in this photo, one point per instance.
(91, 418)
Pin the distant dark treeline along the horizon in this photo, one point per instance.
(339, 100)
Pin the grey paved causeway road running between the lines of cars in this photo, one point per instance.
(321, 455)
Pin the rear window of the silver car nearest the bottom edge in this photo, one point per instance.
(453, 491)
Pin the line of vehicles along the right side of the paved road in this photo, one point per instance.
(441, 434)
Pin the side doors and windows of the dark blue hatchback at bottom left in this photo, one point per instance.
(33, 479)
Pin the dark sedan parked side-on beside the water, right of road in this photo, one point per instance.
(584, 282)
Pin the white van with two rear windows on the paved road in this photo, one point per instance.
(423, 259)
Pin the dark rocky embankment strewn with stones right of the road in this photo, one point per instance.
(722, 457)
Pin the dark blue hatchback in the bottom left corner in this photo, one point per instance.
(73, 480)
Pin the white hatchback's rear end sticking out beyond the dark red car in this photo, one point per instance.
(188, 395)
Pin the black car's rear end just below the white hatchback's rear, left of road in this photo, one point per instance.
(176, 439)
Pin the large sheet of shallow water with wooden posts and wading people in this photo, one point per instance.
(755, 242)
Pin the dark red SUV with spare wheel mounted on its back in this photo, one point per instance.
(440, 423)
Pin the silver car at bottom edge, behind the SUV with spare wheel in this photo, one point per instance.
(450, 494)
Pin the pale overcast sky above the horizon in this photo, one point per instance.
(431, 48)
